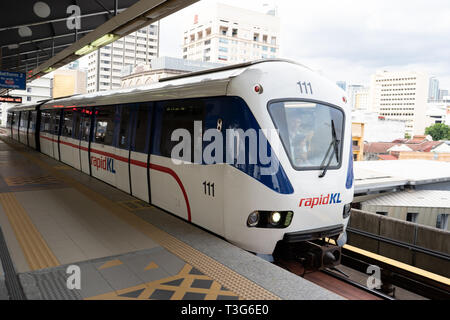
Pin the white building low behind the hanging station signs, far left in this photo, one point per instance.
(37, 90)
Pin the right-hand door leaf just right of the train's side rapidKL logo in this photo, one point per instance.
(139, 153)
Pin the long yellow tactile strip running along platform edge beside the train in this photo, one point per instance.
(243, 287)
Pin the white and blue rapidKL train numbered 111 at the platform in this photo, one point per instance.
(127, 138)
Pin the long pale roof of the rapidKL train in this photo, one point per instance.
(212, 82)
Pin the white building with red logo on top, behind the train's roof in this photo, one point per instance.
(226, 34)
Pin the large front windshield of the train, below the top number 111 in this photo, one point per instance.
(311, 133)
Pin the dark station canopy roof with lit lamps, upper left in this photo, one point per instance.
(37, 37)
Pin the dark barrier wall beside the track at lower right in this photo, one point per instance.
(415, 234)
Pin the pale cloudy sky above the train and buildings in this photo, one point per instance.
(347, 40)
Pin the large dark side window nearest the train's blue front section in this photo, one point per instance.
(179, 115)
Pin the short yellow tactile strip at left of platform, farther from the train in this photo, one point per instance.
(34, 247)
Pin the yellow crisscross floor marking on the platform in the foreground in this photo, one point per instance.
(182, 283)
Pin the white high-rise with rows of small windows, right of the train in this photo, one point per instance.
(401, 96)
